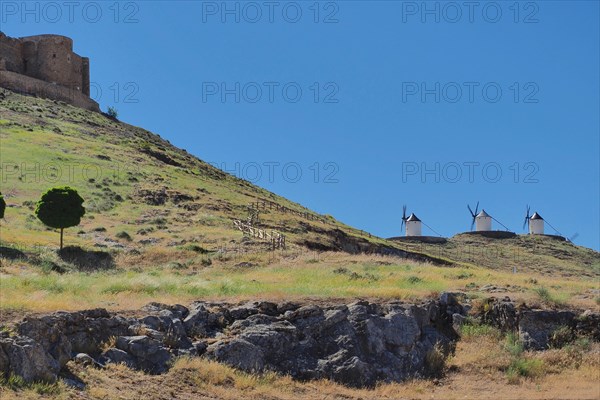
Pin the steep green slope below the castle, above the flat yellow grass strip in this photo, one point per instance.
(132, 181)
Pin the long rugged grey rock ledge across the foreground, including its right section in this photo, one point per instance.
(356, 344)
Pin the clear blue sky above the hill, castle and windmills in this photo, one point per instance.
(380, 120)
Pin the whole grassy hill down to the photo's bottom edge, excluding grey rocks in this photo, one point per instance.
(161, 227)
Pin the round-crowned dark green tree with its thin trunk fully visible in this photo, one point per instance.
(60, 208)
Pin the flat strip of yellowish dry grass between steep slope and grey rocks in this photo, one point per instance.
(179, 276)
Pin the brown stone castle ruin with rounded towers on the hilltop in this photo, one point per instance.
(46, 66)
